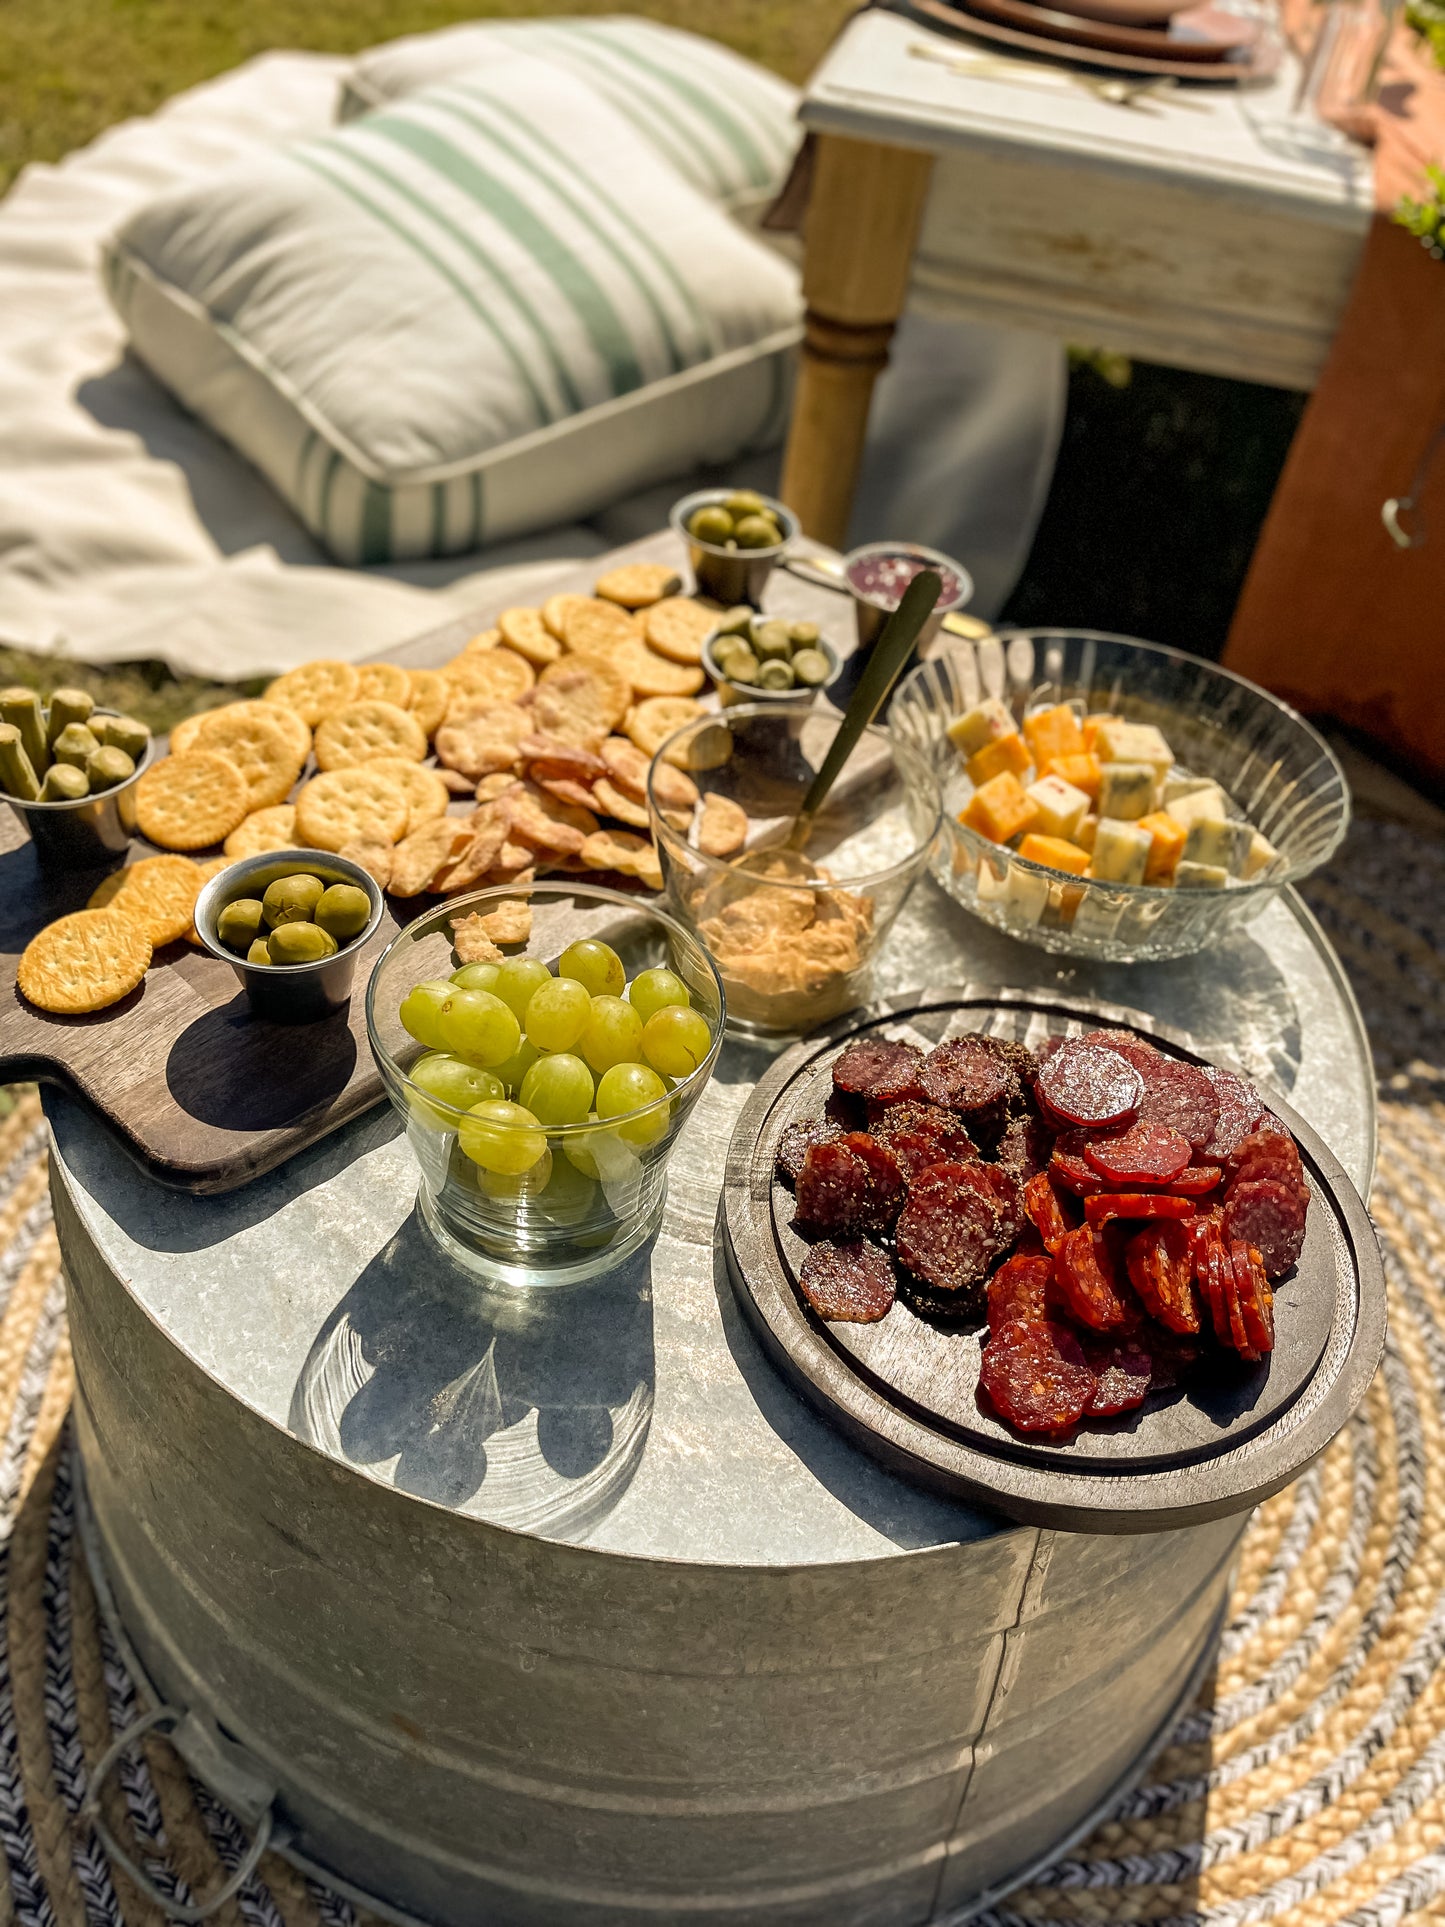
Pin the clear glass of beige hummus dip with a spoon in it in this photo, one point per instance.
(793, 934)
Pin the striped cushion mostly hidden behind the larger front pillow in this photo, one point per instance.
(725, 124)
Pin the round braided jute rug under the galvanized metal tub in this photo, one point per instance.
(1305, 1785)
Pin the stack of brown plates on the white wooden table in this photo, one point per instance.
(1197, 43)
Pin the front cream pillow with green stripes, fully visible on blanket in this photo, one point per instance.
(481, 313)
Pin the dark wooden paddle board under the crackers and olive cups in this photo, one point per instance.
(201, 1094)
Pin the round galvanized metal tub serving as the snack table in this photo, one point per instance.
(567, 1610)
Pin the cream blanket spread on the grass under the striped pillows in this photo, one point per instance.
(128, 531)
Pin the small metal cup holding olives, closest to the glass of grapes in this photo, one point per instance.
(288, 993)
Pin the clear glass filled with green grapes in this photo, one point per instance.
(544, 1047)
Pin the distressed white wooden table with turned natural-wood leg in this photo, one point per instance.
(1188, 228)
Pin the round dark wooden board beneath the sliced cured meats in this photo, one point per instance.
(906, 1388)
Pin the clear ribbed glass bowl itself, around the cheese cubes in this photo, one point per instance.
(1276, 772)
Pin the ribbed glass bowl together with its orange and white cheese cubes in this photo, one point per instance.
(1115, 799)
